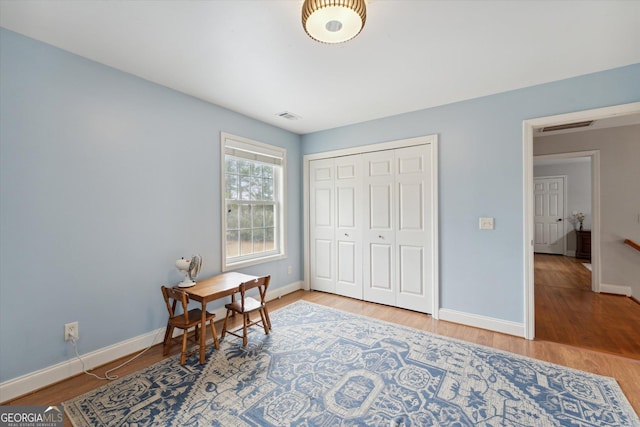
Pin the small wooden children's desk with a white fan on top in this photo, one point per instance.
(213, 288)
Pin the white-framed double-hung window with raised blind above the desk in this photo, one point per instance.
(253, 209)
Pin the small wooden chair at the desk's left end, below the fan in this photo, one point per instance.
(185, 320)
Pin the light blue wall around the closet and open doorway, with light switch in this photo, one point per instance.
(481, 174)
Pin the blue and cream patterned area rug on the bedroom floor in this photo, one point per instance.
(325, 367)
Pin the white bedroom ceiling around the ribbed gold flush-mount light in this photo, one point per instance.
(253, 57)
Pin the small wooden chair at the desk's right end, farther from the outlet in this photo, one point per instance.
(248, 305)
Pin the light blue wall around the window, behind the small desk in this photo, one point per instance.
(106, 179)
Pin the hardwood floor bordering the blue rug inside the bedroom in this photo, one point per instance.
(625, 370)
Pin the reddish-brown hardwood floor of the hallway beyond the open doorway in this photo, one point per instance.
(568, 312)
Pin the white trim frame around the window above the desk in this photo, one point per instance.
(268, 150)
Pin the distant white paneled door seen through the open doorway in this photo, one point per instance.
(549, 215)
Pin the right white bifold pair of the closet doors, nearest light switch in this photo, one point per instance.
(397, 250)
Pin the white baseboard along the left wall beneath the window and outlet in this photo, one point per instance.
(38, 379)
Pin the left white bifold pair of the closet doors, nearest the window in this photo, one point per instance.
(335, 212)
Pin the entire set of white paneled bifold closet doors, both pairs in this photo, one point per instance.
(371, 225)
